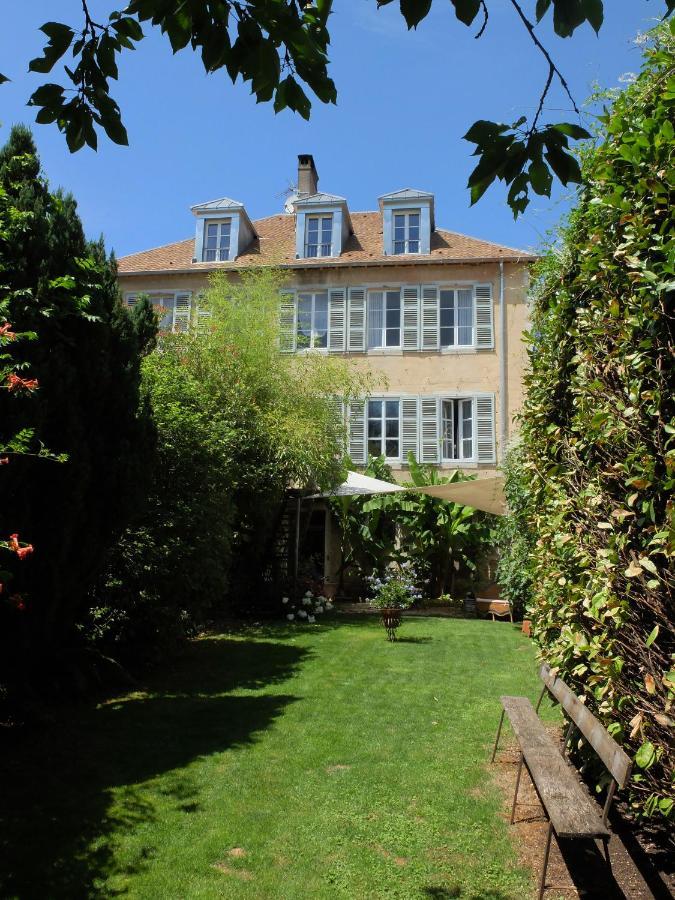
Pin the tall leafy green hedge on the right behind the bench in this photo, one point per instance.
(598, 433)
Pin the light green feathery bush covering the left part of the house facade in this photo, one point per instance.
(237, 422)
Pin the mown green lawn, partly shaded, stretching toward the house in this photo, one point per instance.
(278, 763)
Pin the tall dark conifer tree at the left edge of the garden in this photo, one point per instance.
(86, 357)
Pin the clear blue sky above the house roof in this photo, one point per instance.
(405, 100)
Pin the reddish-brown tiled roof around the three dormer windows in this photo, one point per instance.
(275, 245)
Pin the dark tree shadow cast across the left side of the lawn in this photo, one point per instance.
(57, 830)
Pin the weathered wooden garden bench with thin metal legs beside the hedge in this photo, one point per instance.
(571, 811)
